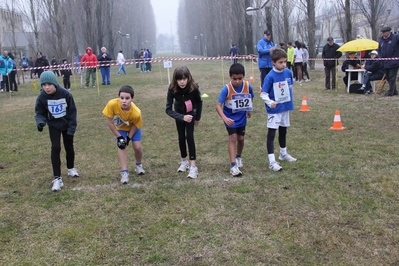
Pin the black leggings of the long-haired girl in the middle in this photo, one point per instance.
(185, 132)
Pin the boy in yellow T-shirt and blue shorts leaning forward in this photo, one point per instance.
(125, 121)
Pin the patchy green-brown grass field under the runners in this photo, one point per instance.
(337, 205)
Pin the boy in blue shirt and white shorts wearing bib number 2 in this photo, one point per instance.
(277, 95)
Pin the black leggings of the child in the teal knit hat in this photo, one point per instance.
(55, 137)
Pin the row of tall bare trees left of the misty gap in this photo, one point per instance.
(64, 28)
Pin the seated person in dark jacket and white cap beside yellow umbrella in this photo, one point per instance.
(373, 71)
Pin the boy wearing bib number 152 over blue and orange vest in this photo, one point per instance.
(236, 99)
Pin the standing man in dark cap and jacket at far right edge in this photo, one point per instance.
(388, 47)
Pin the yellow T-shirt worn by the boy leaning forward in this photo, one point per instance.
(123, 120)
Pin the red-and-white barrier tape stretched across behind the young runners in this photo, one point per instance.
(253, 58)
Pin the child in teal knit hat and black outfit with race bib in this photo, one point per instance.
(56, 108)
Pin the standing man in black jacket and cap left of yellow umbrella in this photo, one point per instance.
(330, 56)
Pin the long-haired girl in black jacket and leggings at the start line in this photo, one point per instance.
(185, 97)
